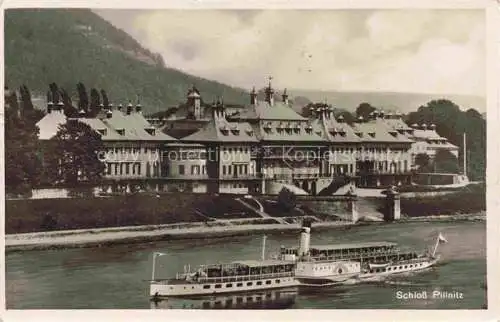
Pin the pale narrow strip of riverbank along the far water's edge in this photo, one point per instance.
(150, 233)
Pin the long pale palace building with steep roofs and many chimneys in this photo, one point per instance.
(255, 149)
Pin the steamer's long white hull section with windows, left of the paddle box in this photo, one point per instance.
(164, 289)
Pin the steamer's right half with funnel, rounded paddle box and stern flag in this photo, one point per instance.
(340, 263)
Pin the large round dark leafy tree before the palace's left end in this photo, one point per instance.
(74, 157)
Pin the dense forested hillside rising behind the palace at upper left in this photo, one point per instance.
(43, 46)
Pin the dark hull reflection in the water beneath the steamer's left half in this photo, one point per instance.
(269, 299)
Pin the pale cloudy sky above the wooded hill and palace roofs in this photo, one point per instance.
(412, 50)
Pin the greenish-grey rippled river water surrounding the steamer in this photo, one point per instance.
(114, 277)
